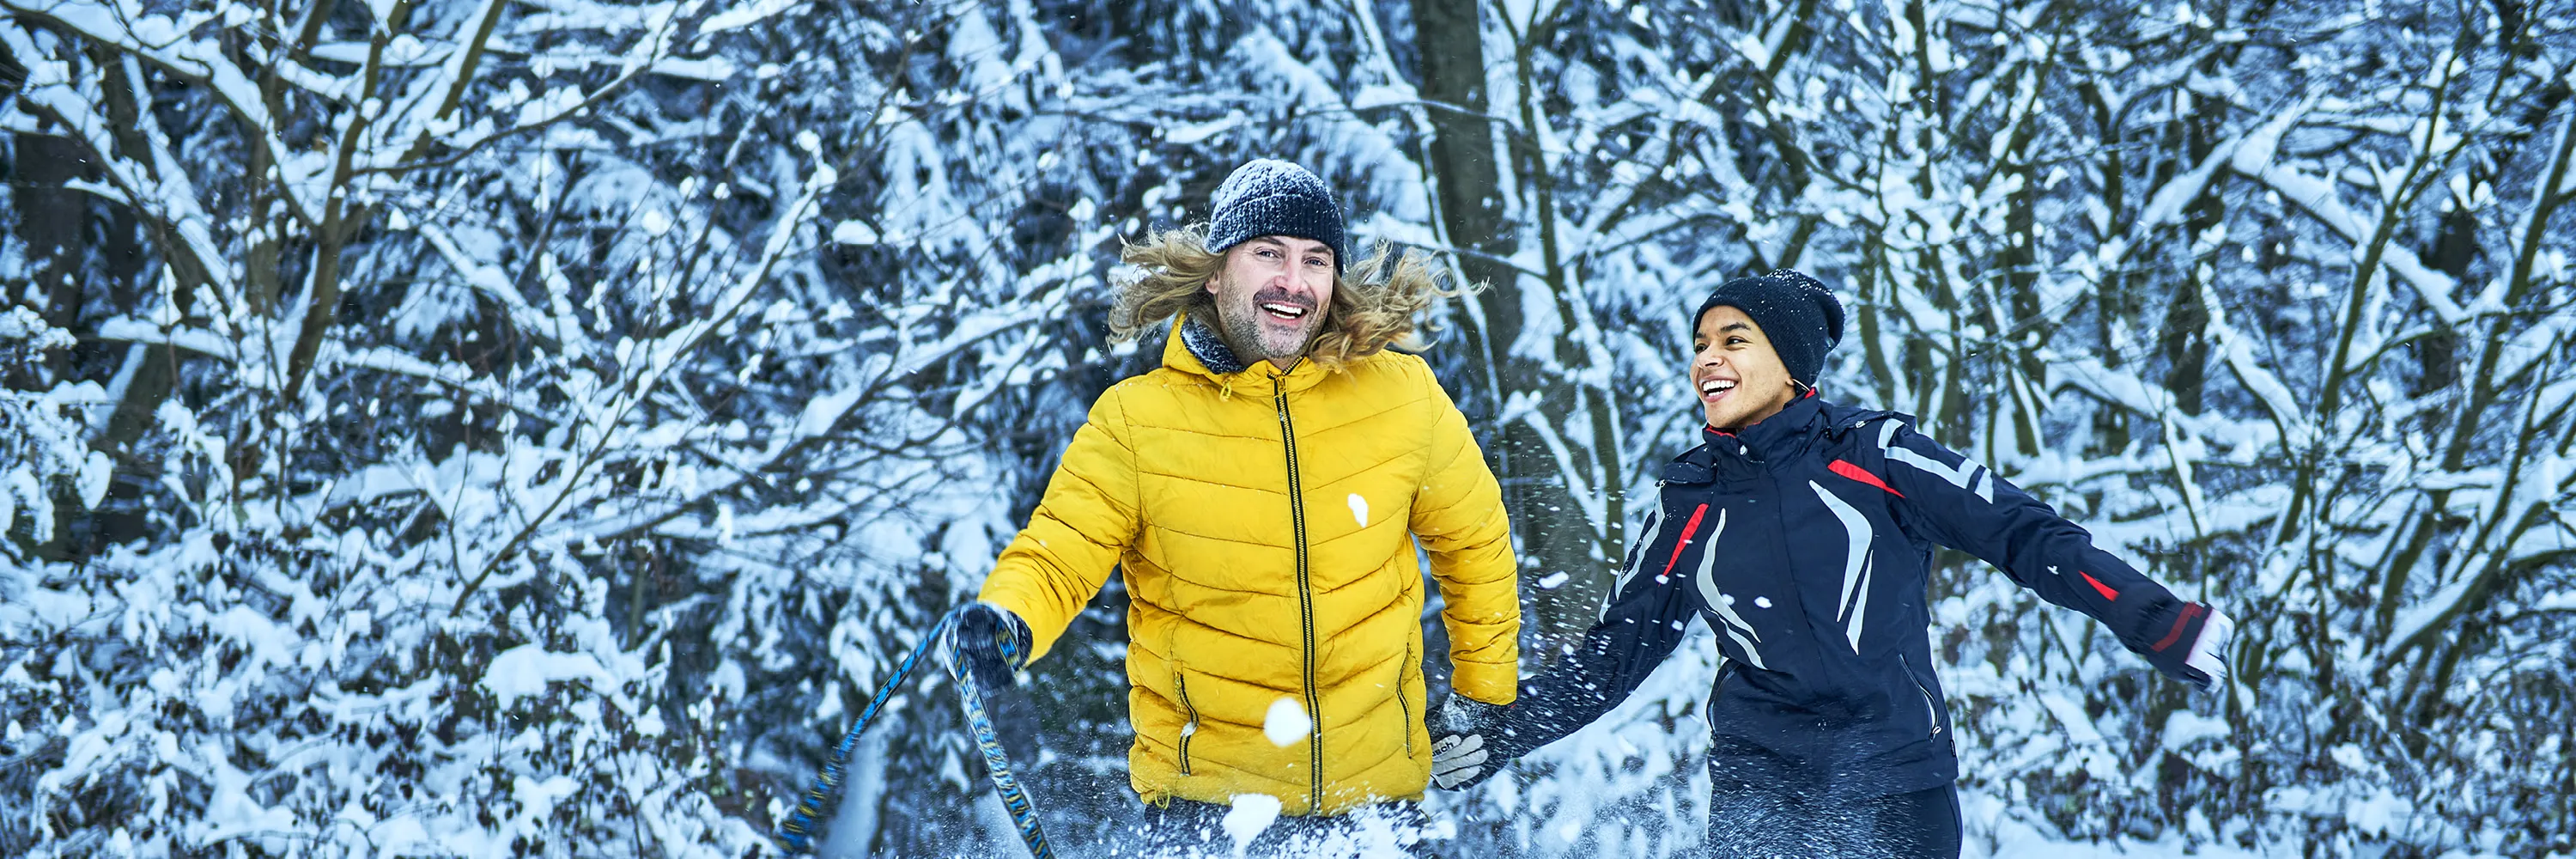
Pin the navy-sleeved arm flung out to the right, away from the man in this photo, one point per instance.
(1967, 507)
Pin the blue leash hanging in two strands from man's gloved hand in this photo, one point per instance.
(797, 834)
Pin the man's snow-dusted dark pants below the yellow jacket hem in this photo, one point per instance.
(1199, 829)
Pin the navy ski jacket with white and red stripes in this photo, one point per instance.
(1804, 543)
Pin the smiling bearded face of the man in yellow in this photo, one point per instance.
(1271, 298)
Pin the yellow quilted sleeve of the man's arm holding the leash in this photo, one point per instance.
(1073, 543)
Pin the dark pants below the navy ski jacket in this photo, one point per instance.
(1766, 824)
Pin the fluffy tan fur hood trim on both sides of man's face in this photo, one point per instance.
(1374, 303)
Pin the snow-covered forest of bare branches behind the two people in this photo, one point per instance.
(488, 429)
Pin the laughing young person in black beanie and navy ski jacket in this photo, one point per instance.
(1802, 533)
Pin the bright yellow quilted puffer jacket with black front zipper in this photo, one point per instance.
(1266, 525)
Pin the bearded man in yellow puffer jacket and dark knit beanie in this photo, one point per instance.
(1266, 491)
